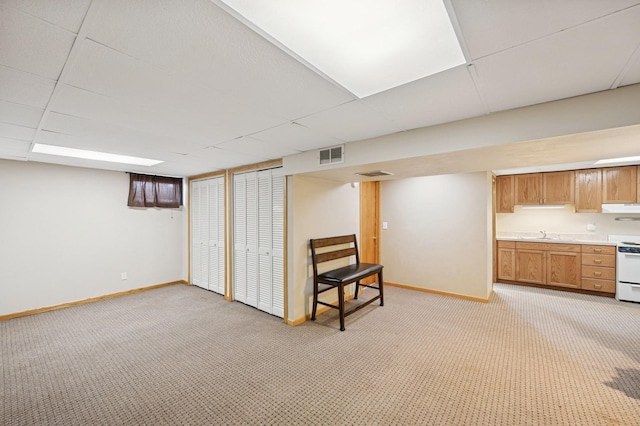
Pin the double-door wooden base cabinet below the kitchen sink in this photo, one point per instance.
(548, 263)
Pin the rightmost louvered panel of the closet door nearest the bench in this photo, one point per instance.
(277, 242)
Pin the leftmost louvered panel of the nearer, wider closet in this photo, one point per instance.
(239, 238)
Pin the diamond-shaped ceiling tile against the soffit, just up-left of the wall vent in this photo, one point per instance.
(296, 137)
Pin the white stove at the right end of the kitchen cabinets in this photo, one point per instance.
(627, 267)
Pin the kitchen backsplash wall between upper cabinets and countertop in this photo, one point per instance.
(565, 221)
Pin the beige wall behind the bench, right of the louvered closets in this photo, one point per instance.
(316, 208)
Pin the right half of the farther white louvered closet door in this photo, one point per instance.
(215, 191)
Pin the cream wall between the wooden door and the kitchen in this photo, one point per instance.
(439, 233)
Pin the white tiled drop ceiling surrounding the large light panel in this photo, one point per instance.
(187, 83)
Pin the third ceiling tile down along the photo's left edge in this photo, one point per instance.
(24, 88)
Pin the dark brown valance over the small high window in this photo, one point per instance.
(154, 191)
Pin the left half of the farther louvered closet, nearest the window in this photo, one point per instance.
(200, 234)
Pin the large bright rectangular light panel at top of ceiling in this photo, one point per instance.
(366, 46)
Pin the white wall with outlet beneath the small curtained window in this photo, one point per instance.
(67, 235)
